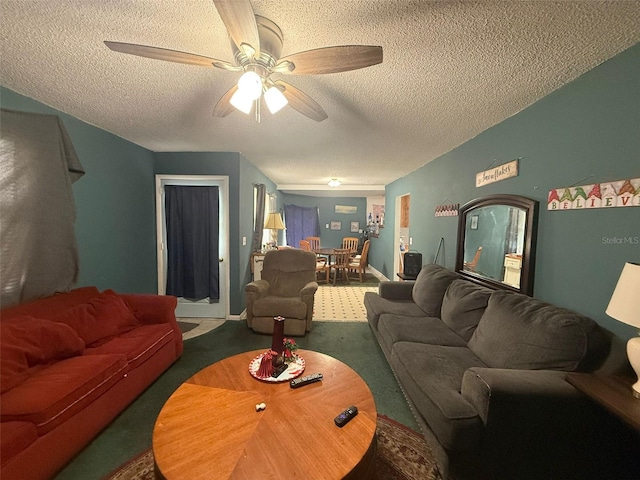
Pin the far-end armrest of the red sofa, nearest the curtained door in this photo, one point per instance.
(151, 309)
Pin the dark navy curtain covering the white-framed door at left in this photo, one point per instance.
(192, 242)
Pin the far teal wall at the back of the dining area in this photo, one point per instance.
(326, 214)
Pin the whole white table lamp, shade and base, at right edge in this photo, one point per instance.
(624, 306)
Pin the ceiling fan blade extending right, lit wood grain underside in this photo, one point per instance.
(330, 60)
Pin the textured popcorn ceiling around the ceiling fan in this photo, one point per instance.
(450, 71)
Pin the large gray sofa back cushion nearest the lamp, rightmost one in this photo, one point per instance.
(517, 331)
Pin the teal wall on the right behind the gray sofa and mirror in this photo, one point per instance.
(585, 132)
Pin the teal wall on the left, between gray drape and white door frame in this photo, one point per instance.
(115, 224)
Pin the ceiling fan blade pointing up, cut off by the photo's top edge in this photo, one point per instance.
(238, 17)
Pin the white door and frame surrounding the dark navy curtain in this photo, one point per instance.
(202, 308)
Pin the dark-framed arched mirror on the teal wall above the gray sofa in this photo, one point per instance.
(497, 242)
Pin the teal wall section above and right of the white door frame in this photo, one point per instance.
(242, 175)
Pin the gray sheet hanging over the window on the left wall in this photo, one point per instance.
(38, 164)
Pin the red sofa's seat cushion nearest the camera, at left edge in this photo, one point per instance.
(55, 393)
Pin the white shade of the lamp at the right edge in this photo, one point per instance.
(624, 305)
